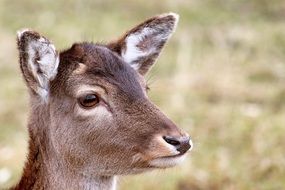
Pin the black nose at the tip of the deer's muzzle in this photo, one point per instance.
(181, 144)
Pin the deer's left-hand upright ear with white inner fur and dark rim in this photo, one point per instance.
(38, 60)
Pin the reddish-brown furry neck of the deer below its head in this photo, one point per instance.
(44, 171)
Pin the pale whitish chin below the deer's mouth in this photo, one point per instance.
(167, 161)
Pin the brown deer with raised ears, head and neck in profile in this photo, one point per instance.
(90, 117)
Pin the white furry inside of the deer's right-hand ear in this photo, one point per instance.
(148, 40)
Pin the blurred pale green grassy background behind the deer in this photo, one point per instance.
(221, 78)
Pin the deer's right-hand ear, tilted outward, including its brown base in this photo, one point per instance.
(141, 45)
